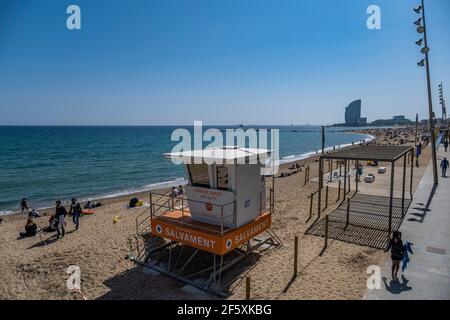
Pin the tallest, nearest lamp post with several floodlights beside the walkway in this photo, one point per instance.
(421, 28)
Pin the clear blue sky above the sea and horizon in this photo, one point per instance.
(220, 61)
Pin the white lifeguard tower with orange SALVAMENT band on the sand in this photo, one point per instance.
(227, 203)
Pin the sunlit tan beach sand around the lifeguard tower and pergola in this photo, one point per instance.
(35, 268)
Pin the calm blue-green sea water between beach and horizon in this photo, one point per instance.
(48, 163)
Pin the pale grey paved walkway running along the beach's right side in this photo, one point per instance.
(427, 226)
